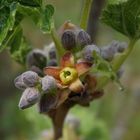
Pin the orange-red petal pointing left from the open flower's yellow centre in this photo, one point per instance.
(52, 71)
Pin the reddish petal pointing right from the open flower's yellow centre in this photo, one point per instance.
(83, 67)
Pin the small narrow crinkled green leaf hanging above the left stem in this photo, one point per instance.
(47, 22)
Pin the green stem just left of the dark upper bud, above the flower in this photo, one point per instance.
(59, 48)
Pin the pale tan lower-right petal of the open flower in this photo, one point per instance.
(76, 86)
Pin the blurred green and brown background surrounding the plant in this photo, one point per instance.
(116, 116)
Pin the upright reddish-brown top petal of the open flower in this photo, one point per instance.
(67, 60)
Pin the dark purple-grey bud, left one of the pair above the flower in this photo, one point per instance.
(68, 39)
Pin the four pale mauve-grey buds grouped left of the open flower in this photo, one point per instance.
(33, 87)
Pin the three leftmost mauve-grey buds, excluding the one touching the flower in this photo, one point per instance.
(28, 82)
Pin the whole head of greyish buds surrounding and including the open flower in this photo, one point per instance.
(50, 84)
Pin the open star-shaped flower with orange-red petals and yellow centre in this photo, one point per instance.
(67, 75)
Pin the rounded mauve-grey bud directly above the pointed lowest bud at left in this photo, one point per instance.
(30, 78)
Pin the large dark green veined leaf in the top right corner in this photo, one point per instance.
(124, 17)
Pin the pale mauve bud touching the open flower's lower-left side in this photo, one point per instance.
(48, 84)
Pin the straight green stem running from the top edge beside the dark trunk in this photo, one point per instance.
(85, 14)
